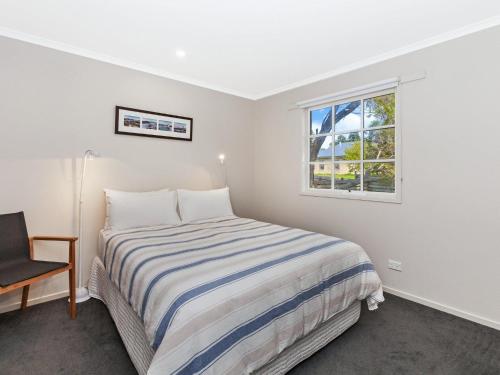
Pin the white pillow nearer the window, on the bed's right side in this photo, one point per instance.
(197, 205)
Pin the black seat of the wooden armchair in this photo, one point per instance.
(23, 269)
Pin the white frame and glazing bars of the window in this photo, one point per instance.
(364, 92)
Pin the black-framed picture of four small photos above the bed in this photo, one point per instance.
(152, 124)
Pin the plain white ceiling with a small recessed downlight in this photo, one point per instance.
(248, 48)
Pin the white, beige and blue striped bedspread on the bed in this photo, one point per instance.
(228, 295)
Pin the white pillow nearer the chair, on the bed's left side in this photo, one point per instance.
(126, 210)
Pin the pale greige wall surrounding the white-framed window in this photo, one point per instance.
(446, 230)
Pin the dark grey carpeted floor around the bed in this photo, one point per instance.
(401, 337)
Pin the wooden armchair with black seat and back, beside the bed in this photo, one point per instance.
(18, 269)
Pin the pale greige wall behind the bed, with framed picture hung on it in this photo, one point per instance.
(54, 106)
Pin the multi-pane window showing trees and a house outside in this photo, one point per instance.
(352, 148)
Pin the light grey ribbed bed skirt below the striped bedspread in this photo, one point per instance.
(133, 335)
